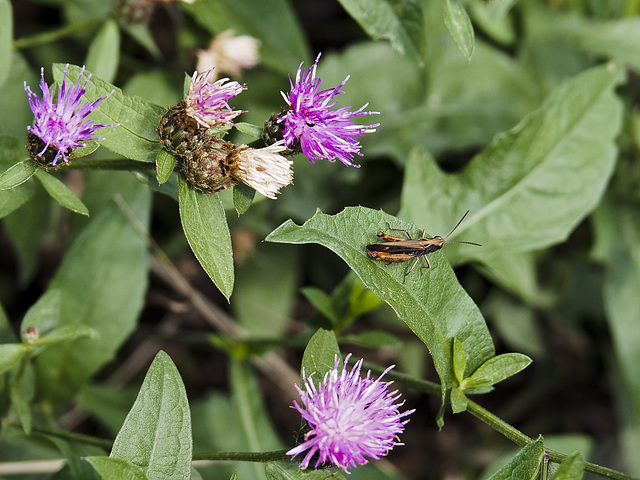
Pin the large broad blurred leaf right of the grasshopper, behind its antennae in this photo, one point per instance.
(559, 158)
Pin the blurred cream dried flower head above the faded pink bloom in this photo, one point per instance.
(229, 53)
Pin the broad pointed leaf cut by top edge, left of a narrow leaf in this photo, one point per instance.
(398, 21)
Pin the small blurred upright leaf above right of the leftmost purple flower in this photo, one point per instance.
(103, 55)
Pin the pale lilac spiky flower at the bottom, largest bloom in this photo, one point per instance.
(350, 418)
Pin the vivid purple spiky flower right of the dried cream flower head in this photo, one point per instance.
(322, 132)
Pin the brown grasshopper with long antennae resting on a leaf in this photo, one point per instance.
(396, 249)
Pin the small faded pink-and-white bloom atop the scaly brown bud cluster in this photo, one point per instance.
(207, 102)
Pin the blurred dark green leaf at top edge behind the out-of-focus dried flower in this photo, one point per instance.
(283, 44)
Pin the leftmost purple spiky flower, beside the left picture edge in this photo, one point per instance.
(62, 125)
